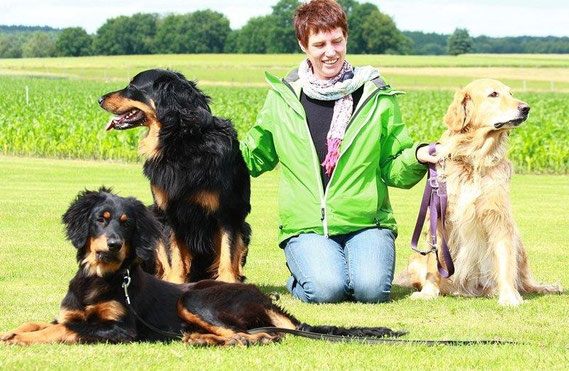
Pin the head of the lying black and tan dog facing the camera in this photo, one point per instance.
(110, 232)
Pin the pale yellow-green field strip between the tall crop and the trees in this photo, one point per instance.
(522, 72)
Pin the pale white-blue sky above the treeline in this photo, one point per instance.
(480, 17)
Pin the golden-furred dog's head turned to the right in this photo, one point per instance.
(487, 104)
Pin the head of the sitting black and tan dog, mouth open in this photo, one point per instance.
(164, 101)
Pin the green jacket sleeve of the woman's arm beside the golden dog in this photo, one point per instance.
(399, 165)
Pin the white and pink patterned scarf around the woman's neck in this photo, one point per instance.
(340, 89)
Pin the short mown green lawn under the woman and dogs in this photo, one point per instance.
(36, 264)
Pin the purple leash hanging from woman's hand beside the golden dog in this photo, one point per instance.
(435, 200)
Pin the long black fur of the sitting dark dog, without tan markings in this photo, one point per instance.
(197, 152)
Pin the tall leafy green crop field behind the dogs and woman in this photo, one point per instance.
(62, 119)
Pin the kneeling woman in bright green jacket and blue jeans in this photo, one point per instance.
(338, 135)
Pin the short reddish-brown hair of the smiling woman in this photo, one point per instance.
(318, 15)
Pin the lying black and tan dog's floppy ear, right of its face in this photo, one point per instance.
(147, 230)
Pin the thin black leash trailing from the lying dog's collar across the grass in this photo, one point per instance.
(314, 335)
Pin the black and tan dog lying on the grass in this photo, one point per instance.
(113, 234)
